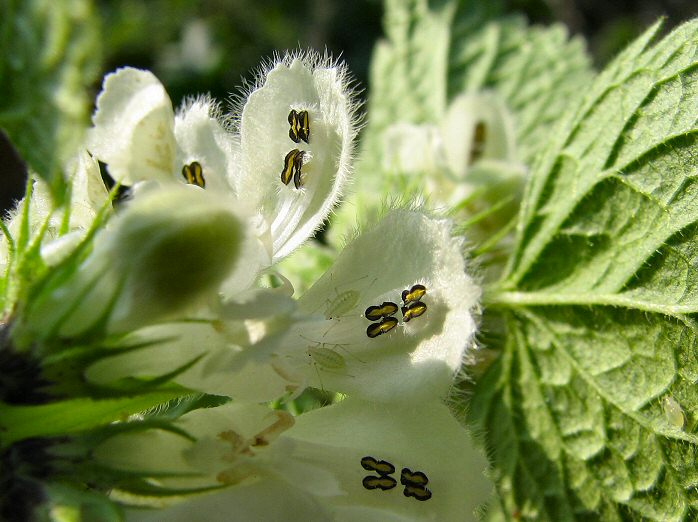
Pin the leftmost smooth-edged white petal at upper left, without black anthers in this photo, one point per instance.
(133, 127)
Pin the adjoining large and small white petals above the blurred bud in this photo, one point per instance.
(137, 134)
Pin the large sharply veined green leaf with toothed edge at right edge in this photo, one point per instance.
(591, 410)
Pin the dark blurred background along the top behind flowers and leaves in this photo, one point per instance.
(211, 45)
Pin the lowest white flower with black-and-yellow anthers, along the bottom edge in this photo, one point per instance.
(356, 460)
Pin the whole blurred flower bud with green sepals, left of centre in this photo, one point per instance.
(167, 251)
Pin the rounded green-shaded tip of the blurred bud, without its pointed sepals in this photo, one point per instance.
(173, 246)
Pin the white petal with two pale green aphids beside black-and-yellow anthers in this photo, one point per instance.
(418, 354)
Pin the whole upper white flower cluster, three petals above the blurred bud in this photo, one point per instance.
(282, 158)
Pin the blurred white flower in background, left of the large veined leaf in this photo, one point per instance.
(465, 165)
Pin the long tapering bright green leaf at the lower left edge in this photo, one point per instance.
(71, 416)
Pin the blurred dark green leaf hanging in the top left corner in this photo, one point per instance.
(48, 59)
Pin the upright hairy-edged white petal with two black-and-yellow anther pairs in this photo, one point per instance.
(291, 214)
